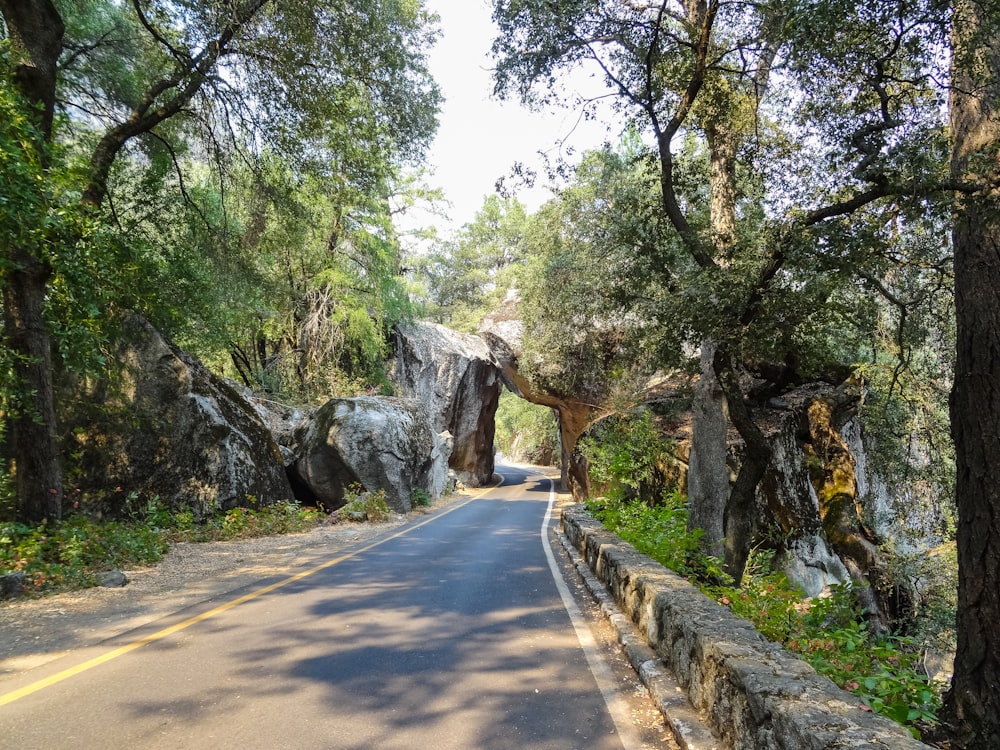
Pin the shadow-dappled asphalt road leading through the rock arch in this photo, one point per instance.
(450, 634)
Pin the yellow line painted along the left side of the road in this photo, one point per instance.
(161, 634)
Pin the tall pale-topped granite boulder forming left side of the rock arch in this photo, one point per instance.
(453, 375)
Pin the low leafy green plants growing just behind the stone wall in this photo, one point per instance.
(884, 668)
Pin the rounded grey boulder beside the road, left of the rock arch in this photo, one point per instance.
(377, 443)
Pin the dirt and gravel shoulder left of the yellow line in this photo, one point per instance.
(36, 631)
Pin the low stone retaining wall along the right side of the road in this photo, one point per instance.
(754, 694)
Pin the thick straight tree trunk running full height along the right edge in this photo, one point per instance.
(972, 705)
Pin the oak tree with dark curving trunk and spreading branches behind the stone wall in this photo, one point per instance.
(804, 141)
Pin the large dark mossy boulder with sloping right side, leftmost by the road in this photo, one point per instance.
(164, 429)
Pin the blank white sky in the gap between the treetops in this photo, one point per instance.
(480, 138)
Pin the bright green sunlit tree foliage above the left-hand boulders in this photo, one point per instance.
(320, 291)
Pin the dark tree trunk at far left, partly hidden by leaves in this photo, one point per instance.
(36, 32)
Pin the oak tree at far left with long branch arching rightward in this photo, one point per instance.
(237, 76)
